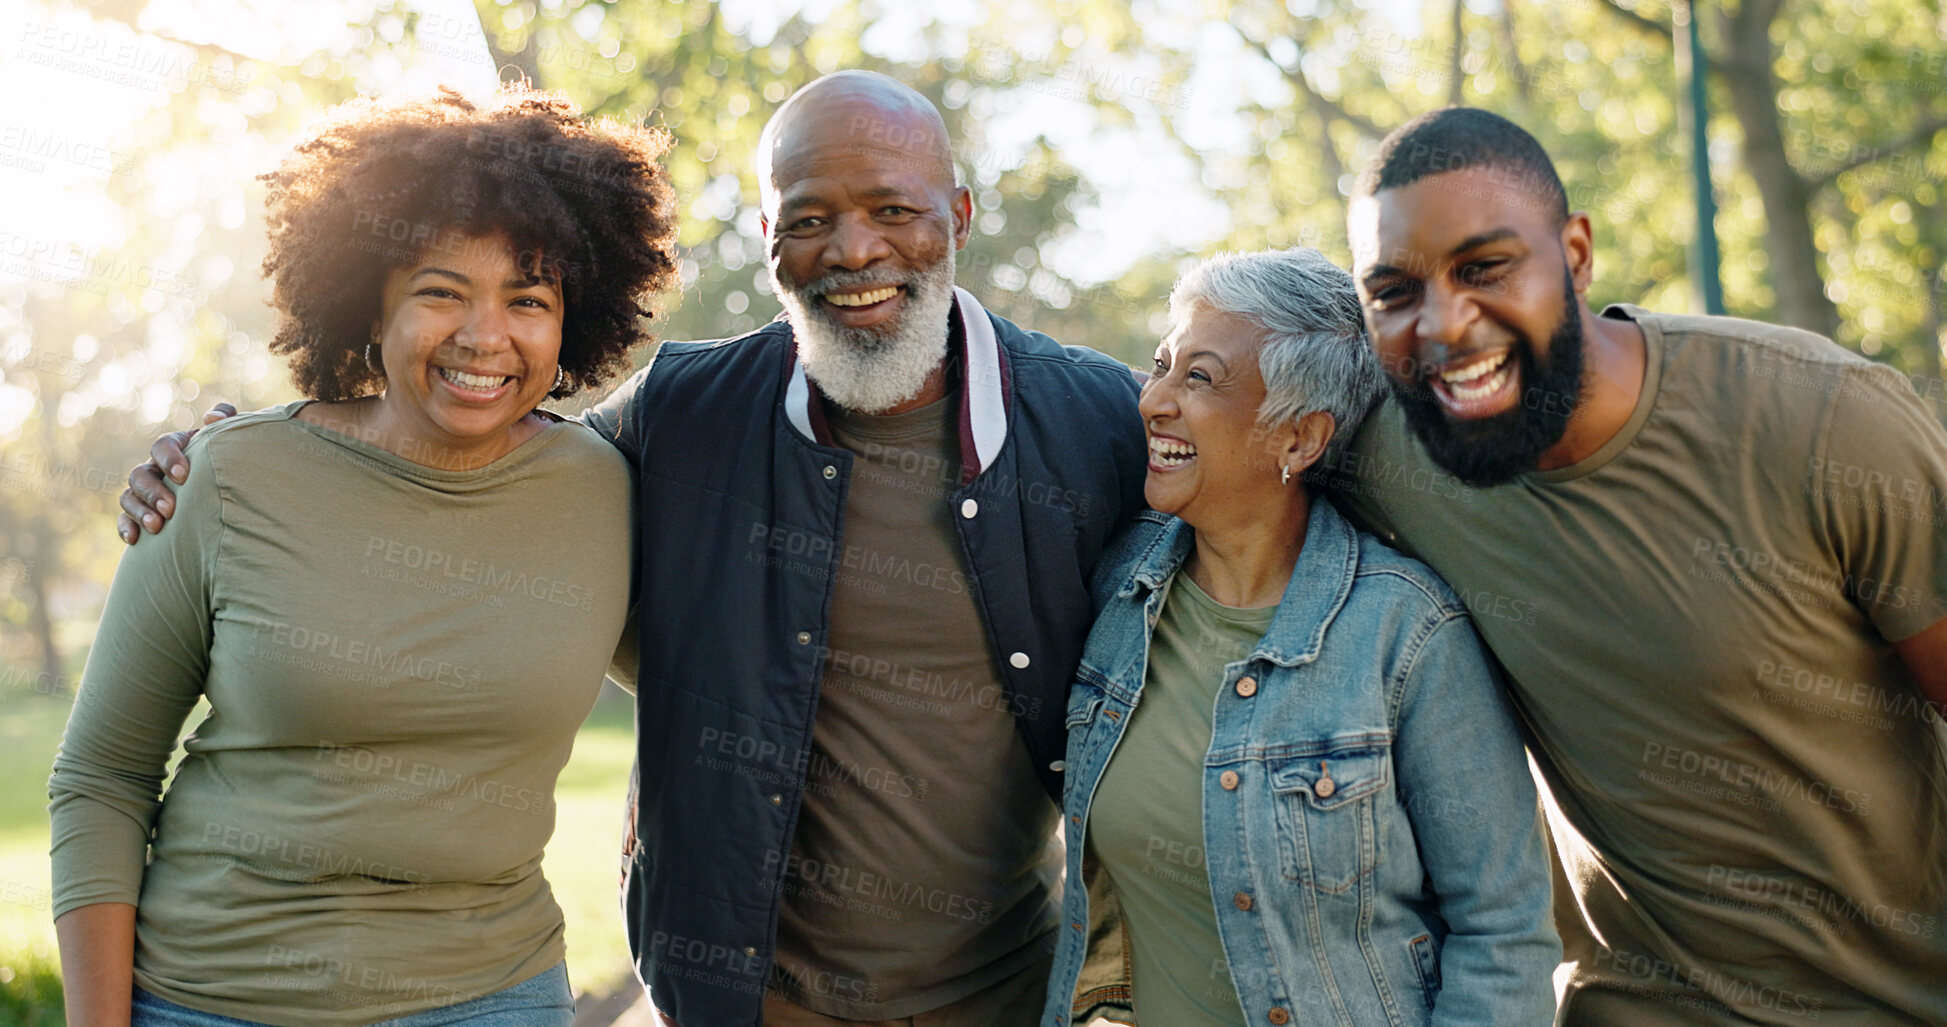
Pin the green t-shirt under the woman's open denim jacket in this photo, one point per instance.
(1146, 823)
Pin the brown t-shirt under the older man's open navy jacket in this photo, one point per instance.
(926, 856)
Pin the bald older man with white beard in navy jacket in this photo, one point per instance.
(865, 537)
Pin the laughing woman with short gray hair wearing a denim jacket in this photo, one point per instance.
(1294, 786)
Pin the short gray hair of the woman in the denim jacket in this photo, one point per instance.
(1315, 352)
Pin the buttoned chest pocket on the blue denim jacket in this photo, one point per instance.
(1327, 816)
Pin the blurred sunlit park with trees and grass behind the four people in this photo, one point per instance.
(1107, 145)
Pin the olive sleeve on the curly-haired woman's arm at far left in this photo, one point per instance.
(143, 677)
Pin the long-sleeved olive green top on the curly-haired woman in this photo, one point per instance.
(396, 664)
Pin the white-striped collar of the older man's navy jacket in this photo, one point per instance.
(984, 385)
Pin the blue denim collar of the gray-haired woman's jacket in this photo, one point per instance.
(1315, 595)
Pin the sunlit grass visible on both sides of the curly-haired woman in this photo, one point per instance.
(581, 860)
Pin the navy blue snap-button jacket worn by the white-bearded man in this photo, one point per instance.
(739, 543)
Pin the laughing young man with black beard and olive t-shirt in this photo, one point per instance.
(1728, 656)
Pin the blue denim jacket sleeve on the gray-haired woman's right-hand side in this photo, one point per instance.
(1471, 802)
